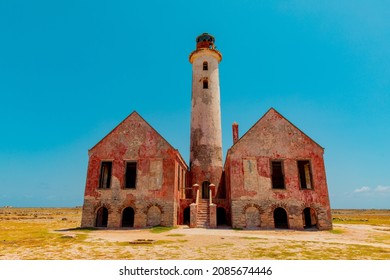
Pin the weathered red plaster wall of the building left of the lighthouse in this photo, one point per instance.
(157, 192)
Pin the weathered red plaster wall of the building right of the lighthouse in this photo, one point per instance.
(249, 175)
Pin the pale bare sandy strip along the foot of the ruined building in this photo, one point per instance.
(357, 235)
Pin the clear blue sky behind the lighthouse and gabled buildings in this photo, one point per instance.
(70, 71)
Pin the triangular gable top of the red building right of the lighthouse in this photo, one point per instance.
(274, 136)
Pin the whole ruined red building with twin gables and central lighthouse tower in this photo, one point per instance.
(273, 176)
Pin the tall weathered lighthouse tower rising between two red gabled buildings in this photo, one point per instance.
(206, 133)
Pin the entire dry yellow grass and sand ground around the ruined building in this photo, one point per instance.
(42, 233)
